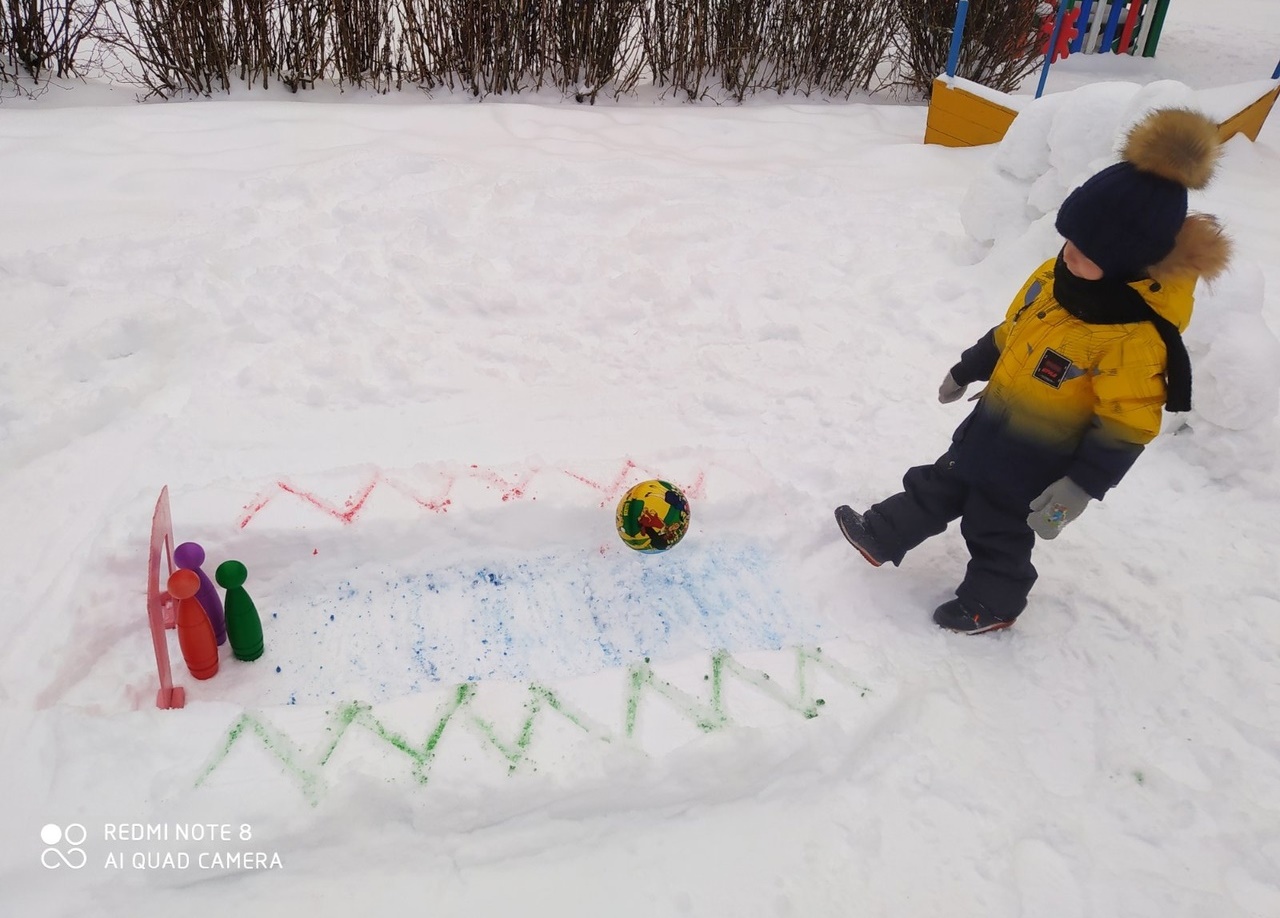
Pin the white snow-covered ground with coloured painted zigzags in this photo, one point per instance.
(401, 358)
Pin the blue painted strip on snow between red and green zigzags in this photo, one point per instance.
(536, 619)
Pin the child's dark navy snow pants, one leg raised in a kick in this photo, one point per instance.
(1000, 574)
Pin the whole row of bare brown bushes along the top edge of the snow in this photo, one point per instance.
(698, 49)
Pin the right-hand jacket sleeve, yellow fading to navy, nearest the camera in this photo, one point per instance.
(1130, 387)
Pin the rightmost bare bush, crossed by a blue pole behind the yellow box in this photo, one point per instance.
(1000, 47)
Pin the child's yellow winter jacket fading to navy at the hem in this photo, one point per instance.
(1066, 398)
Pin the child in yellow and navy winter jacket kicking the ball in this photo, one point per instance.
(1078, 373)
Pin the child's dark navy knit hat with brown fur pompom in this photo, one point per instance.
(1127, 218)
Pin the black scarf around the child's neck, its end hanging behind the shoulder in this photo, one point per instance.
(1114, 303)
